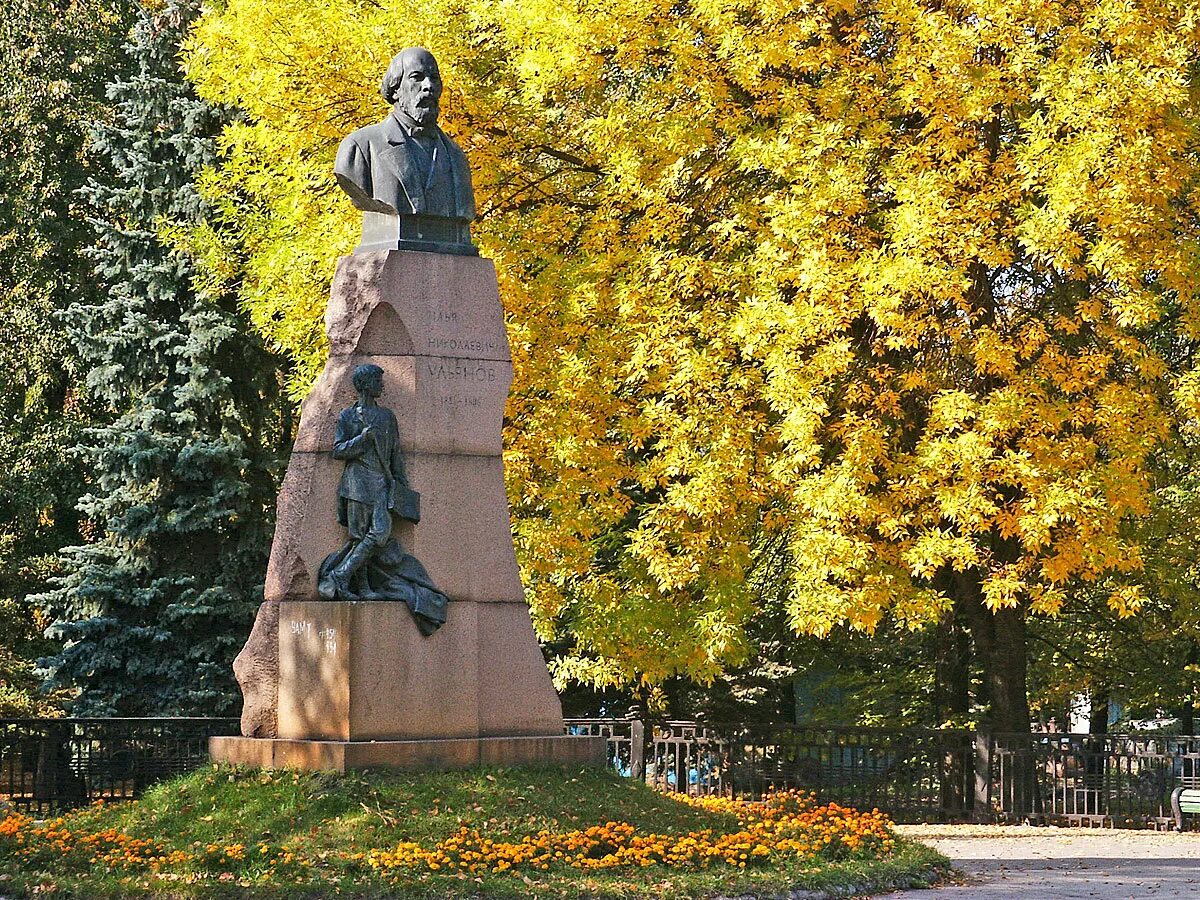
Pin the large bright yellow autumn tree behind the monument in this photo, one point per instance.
(889, 279)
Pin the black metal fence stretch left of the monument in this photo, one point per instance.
(55, 764)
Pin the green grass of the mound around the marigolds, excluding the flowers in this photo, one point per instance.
(311, 827)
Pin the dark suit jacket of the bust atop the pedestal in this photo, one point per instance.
(381, 173)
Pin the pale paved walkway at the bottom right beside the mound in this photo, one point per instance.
(1011, 862)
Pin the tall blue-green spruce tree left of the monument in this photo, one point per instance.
(153, 610)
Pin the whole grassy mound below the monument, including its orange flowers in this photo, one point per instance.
(502, 833)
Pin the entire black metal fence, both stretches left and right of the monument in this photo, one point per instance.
(913, 775)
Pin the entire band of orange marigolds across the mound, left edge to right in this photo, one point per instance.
(784, 825)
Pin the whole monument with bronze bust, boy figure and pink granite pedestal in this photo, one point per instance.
(394, 632)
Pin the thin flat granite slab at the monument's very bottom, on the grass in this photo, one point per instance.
(409, 755)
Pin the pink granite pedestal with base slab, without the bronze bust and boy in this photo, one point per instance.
(346, 685)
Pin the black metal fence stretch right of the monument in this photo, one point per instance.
(914, 775)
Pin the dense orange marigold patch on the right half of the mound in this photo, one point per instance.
(784, 824)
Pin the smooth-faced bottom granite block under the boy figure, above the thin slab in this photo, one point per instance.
(361, 671)
